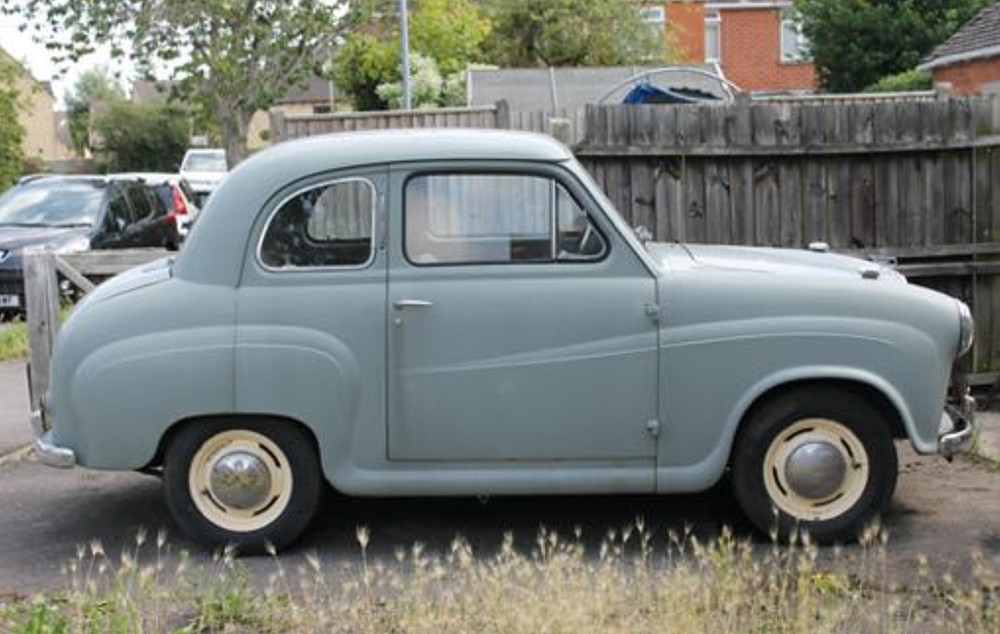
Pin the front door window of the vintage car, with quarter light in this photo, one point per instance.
(495, 218)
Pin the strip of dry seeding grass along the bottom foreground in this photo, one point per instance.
(635, 583)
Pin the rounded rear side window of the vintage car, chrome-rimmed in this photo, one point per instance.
(323, 226)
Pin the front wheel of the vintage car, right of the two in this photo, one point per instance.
(817, 460)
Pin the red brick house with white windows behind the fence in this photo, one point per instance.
(757, 43)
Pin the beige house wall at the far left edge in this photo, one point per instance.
(38, 117)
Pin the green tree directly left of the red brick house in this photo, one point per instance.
(572, 33)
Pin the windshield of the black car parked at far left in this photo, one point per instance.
(56, 203)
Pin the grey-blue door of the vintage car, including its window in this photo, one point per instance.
(519, 323)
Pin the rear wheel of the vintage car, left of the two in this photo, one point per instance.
(251, 483)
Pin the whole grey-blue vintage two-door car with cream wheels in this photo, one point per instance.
(425, 313)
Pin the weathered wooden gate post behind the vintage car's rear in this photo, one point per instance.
(41, 290)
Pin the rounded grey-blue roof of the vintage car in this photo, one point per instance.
(232, 208)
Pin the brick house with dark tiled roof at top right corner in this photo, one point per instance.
(970, 59)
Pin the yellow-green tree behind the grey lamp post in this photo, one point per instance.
(447, 33)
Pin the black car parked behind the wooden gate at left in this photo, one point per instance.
(75, 213)
